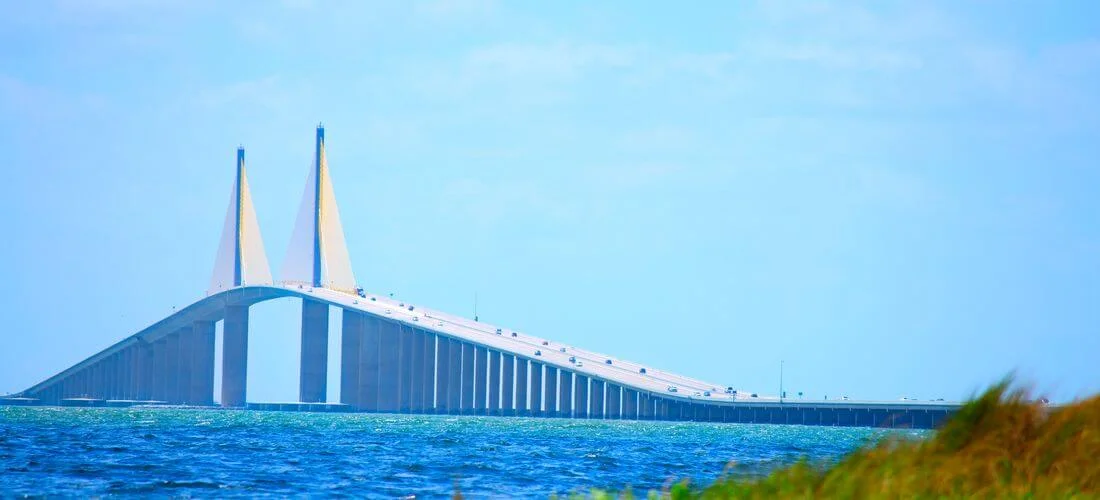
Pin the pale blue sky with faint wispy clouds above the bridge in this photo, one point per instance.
(893, 199)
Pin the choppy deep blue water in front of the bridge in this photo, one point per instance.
(130, 452)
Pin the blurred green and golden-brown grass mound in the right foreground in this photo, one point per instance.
(1002, 445)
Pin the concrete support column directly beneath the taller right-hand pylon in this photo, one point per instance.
(313, 377)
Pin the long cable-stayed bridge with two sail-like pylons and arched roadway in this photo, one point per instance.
(402, 358)
